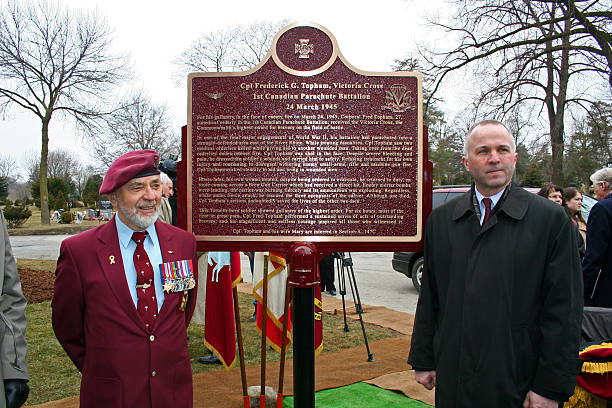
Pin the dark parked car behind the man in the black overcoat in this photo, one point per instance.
(411, 263)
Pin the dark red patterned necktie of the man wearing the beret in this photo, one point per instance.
(145, 289)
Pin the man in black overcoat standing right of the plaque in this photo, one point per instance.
(499, 313)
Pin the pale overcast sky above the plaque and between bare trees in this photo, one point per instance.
(370, 34)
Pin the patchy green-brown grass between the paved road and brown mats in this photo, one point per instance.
(53, 376)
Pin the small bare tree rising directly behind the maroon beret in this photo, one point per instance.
(136, 124)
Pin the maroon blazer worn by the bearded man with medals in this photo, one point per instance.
(123, 364)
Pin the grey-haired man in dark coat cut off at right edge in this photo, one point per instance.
(596, 265)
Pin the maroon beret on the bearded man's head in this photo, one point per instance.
(137, 163)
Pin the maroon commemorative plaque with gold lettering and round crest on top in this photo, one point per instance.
(305, 147)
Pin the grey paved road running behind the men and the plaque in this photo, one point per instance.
(377, 282)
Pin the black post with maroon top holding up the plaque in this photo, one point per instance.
(303, 278)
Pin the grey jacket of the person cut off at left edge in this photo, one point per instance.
(12, 316)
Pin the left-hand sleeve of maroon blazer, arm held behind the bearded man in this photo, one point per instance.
(68, 307)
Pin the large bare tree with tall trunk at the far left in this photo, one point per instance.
(55, 61)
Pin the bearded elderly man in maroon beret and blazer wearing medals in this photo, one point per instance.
(124, 295)
